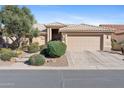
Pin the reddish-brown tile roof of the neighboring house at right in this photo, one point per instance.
(119, 28)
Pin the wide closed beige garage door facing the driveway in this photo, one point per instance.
(79, 43)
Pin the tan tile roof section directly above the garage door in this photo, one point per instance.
(84, 28)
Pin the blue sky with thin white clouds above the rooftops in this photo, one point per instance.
(92, 14)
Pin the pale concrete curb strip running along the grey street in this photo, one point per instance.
(59, 68)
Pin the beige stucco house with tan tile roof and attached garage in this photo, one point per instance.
(78, 36)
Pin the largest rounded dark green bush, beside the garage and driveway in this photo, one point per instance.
(56, 48)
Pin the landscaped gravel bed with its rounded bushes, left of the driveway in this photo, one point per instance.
(50, 55)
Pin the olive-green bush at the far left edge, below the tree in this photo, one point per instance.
(7, 54)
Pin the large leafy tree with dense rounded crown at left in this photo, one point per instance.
(18, 22)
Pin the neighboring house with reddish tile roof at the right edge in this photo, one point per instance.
(118, 35)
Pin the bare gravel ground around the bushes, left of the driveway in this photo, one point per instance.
(50, 62)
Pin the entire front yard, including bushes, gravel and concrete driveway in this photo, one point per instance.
(52, 55)
